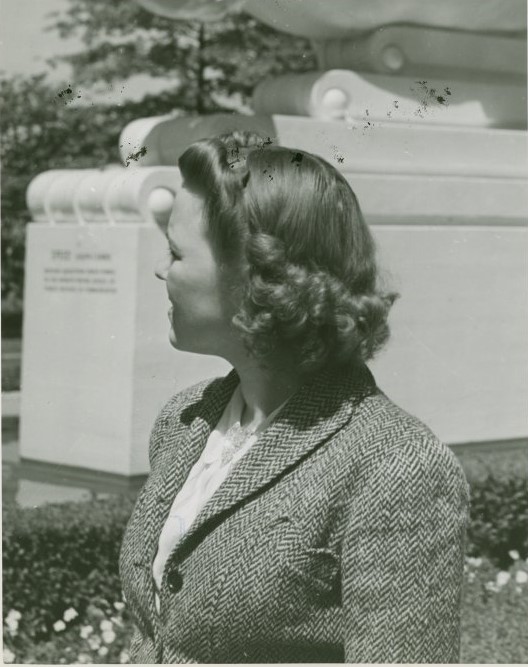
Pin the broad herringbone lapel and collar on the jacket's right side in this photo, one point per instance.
(312, 416)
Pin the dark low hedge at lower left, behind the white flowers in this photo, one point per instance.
(58, 557)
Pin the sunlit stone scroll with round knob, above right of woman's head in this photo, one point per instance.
(347, 95)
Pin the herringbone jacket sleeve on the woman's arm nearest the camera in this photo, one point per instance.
(403, 558)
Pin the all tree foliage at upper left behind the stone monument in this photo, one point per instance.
(207, 68)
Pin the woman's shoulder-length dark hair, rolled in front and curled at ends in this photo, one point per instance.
(289, 226)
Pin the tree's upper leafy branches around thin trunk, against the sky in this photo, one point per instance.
(206, 61)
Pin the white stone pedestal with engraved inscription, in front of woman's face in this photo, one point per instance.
(97, 364)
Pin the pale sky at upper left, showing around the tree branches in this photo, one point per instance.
(25, 45)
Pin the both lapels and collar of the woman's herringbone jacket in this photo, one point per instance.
(321, 407)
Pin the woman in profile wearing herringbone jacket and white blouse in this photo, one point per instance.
(293, 513)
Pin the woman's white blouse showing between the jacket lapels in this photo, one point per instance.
(226, 445)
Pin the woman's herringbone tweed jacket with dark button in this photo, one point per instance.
(338, 537)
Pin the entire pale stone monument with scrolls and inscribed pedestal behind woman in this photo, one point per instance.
(423, 107)
